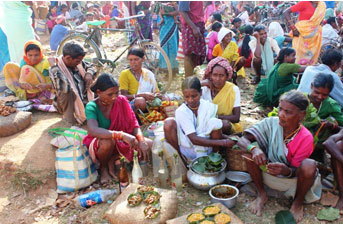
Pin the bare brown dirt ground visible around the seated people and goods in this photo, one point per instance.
(27, 170)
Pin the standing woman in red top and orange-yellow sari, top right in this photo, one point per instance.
(307, 32)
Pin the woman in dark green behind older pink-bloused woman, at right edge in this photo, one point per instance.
(328, 110)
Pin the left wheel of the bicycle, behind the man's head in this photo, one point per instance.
(93, 52)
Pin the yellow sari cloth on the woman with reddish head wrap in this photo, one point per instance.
(225, 100)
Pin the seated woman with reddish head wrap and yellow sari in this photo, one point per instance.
(223, 93)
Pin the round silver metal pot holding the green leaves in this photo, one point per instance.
(204, 181)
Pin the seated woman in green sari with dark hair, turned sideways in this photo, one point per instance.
(279, 80)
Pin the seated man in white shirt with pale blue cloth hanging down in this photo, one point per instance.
(264, 49)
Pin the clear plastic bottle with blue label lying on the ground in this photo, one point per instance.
(94, 197)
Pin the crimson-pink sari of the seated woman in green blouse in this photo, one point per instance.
(122, 119)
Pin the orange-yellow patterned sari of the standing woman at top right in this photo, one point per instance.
(307, 45)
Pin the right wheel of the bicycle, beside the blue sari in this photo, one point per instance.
(153, 52)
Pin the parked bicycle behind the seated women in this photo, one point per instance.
(96, 53)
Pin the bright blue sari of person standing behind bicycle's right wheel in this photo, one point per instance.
(169, 41)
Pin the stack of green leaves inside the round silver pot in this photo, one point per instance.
(208, 164)
